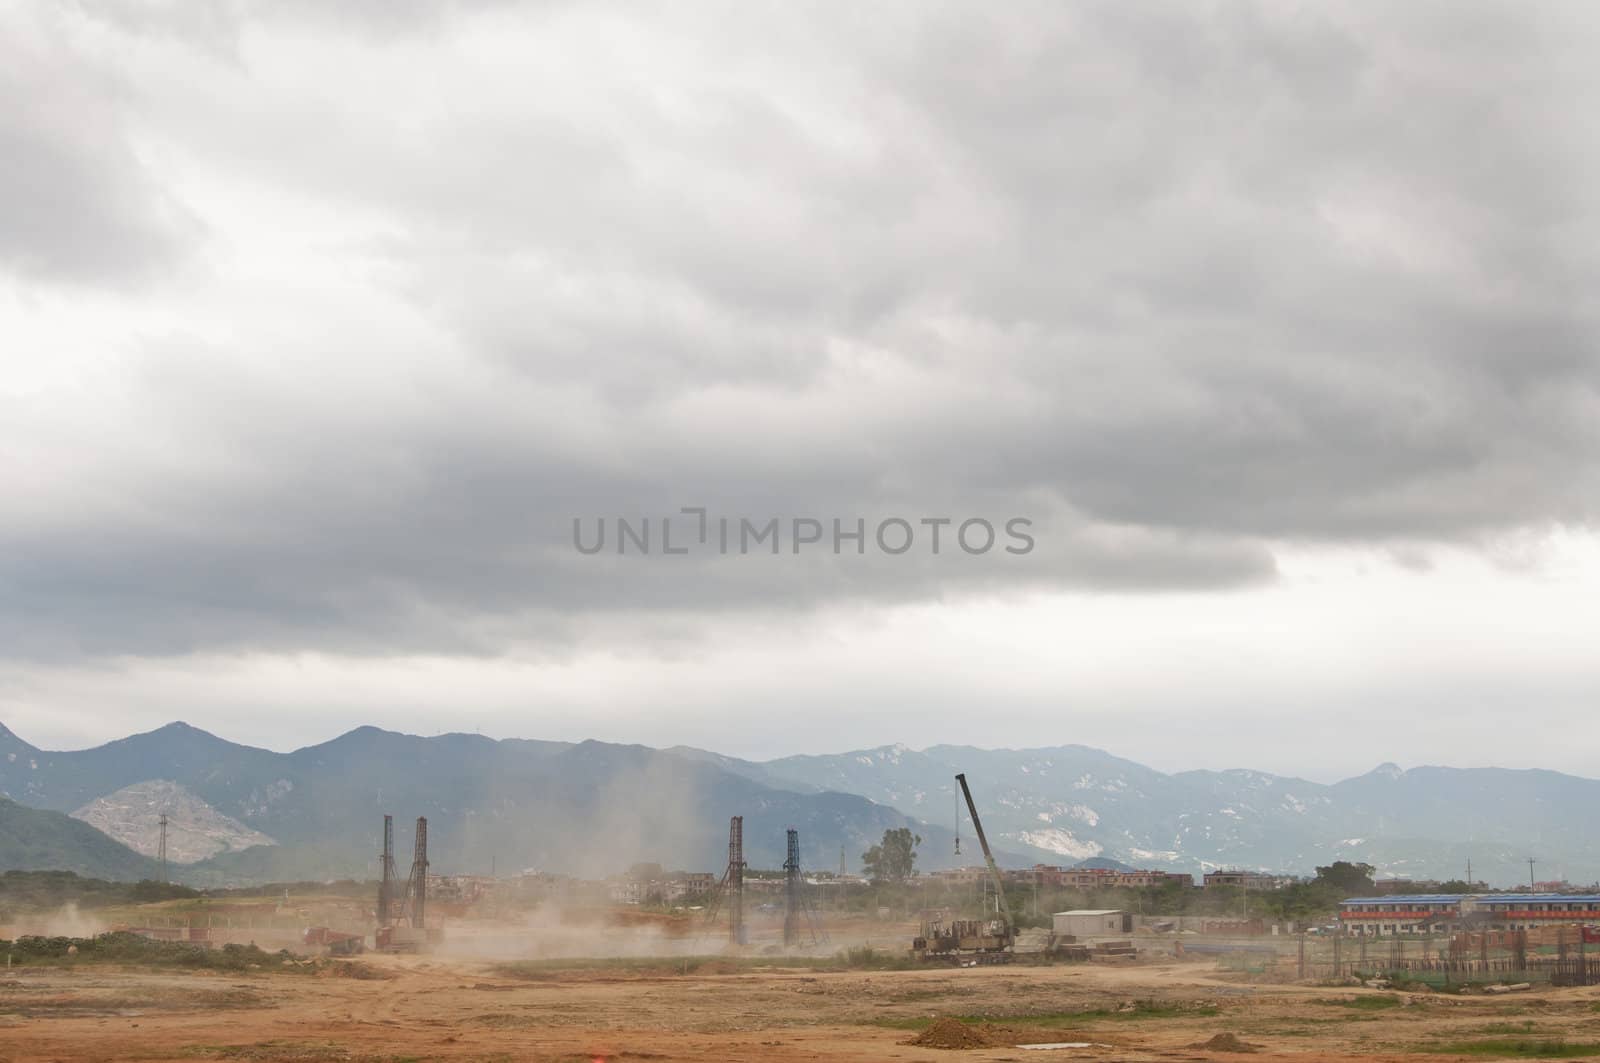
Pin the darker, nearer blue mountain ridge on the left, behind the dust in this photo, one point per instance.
(585, 809)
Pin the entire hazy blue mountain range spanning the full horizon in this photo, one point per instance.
(596, 808)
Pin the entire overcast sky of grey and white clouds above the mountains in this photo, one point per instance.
(1278, 323)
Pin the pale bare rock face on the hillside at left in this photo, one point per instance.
(194, 830)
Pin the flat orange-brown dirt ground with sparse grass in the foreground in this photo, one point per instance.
(433, 1009)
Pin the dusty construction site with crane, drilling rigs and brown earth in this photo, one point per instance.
(761, 965)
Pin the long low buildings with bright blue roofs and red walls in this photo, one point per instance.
(1449, 913)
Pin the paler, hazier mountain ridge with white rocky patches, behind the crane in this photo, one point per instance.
(1073, 803)
